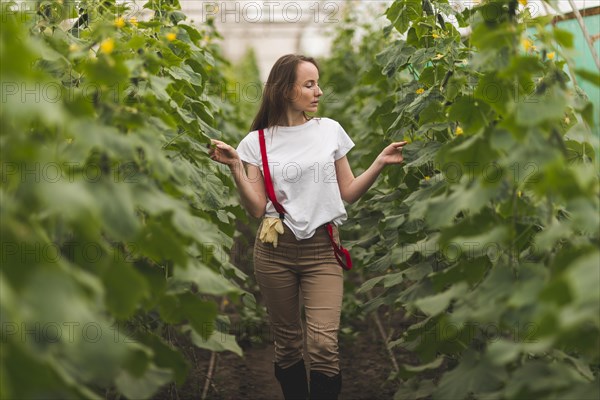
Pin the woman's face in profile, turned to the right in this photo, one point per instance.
(306, 92)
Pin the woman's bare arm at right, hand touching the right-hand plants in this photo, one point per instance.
(352, 188)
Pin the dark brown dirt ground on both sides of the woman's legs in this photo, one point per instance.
(364, 362)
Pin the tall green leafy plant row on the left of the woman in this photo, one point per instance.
(115, 224)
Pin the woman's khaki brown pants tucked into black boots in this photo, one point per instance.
(307, 267)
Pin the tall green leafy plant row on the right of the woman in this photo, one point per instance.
(487, 238)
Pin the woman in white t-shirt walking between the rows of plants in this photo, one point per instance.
(311, 177)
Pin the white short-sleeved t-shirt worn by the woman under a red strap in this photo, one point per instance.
(302, 164)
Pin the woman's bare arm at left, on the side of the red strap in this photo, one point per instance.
(249, 180)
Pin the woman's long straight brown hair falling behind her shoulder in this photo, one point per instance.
(280, 84)
